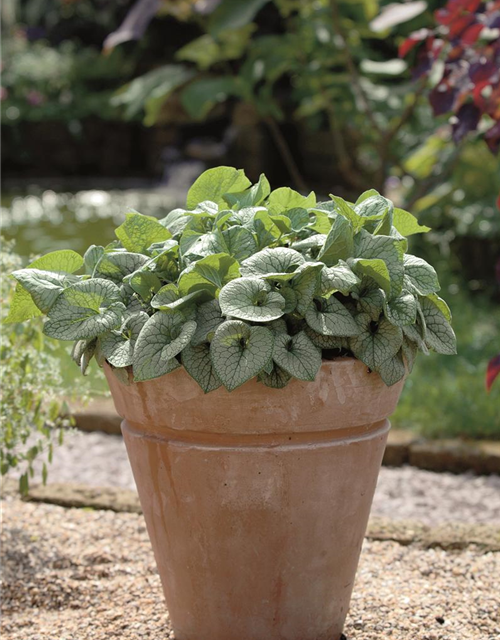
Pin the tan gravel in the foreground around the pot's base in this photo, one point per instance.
(72, 574)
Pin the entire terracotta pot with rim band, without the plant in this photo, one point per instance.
(257, 501)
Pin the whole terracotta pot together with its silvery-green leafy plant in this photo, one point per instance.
(255, 344)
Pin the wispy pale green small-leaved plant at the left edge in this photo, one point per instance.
(31, 413)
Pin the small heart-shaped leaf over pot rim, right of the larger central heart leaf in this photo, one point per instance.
(297, 356)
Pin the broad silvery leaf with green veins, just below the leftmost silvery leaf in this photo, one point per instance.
(85, 310)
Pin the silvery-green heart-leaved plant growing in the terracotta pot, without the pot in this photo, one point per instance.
(245, 282)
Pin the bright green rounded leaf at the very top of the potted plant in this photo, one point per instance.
(213, 184)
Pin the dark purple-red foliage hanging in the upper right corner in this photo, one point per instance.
(466, 43)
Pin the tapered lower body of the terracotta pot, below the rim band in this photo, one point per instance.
(258, 536)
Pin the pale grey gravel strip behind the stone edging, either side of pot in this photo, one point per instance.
(404, 493)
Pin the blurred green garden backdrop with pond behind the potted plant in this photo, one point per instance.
(111, 106)
